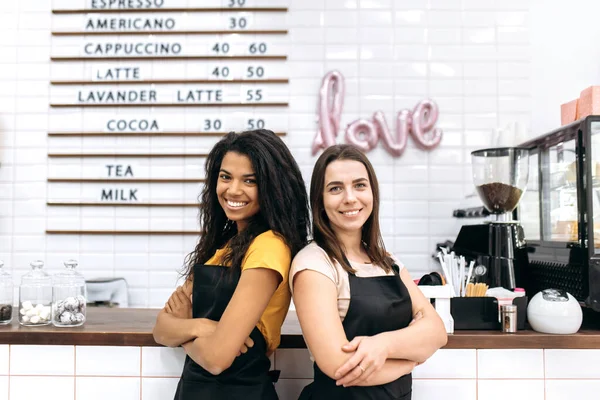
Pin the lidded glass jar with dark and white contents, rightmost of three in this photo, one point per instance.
(68, 297)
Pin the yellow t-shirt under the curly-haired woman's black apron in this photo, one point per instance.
(268, 250)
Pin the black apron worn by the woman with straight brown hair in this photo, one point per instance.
(377, 304)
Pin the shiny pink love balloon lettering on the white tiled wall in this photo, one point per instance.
(365, 133)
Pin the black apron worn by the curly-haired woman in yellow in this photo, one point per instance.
(248, 378)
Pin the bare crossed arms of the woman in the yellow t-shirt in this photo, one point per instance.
(215, 344)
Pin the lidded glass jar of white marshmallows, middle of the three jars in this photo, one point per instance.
(35, 296)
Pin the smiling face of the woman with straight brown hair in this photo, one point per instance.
(347, 195)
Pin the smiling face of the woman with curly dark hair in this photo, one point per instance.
(237, 189)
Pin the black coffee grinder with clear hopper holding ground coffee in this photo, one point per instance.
(498, 246)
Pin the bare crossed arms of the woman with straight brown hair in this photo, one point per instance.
(384, 357)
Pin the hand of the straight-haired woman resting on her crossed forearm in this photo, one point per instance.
(369, 357)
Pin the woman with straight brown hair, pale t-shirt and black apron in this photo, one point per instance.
(366, 323)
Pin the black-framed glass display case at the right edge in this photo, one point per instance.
(560, 211)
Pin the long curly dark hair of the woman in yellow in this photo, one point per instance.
(282, 199)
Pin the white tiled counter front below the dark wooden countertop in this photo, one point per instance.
(152, 373)
